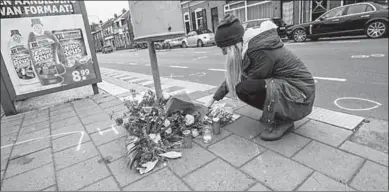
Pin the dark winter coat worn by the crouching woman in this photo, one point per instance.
(290, 86)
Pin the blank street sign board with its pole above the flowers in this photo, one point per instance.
(154, 21)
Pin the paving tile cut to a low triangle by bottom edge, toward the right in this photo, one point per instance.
(320, 182)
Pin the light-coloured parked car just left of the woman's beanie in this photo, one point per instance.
(199, 38)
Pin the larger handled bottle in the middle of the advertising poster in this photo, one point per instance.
(47, 54)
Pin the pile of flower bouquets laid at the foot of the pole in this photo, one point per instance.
(155, 127)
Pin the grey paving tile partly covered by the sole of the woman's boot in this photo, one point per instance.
(288, 145)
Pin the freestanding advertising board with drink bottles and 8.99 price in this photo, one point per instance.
(46, 47)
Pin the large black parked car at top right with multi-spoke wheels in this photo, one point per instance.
(366, 18)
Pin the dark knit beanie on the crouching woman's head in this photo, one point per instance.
(229, 32)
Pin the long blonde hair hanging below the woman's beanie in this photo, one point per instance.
(233, 67)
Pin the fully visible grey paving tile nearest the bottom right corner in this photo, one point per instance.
(329, 161)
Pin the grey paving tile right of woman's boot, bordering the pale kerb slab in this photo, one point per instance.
(325, 133)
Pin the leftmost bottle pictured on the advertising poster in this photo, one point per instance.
(21, 59)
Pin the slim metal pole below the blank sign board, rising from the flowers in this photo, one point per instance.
(154, 69)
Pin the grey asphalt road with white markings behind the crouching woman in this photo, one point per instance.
(351, 74)
